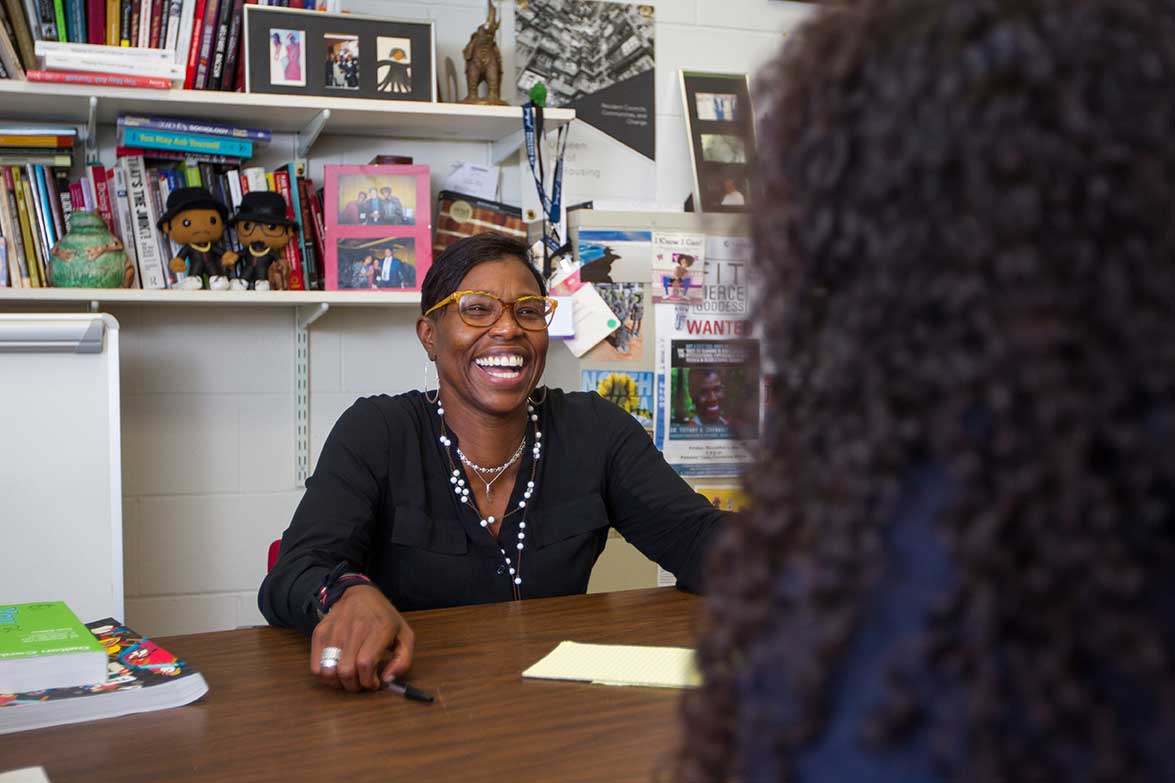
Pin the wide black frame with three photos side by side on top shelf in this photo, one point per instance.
(297, 52)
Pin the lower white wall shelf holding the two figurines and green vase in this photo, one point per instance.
(223, 298)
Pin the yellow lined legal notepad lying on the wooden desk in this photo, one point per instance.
(617, 665)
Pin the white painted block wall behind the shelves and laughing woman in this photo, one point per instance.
(209, 401)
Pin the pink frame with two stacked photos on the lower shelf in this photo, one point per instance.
(379, 227)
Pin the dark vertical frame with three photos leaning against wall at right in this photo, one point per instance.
(721, 124)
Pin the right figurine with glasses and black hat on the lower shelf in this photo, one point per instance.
(265, 231)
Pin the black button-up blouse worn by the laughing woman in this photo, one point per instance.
(381, 500)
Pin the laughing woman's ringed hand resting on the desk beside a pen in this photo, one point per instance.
(364, 625)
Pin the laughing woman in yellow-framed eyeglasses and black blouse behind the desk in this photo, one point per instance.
(486, 488)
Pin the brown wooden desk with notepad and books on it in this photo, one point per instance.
(266, 719)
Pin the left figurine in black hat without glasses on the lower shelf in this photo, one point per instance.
(196, 220)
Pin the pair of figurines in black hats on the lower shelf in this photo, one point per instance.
(196, 222)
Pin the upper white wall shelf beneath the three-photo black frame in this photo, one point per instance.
(50, 103)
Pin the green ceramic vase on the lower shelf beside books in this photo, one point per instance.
(89, 256)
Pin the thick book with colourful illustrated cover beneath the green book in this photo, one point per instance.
(142, 677)
